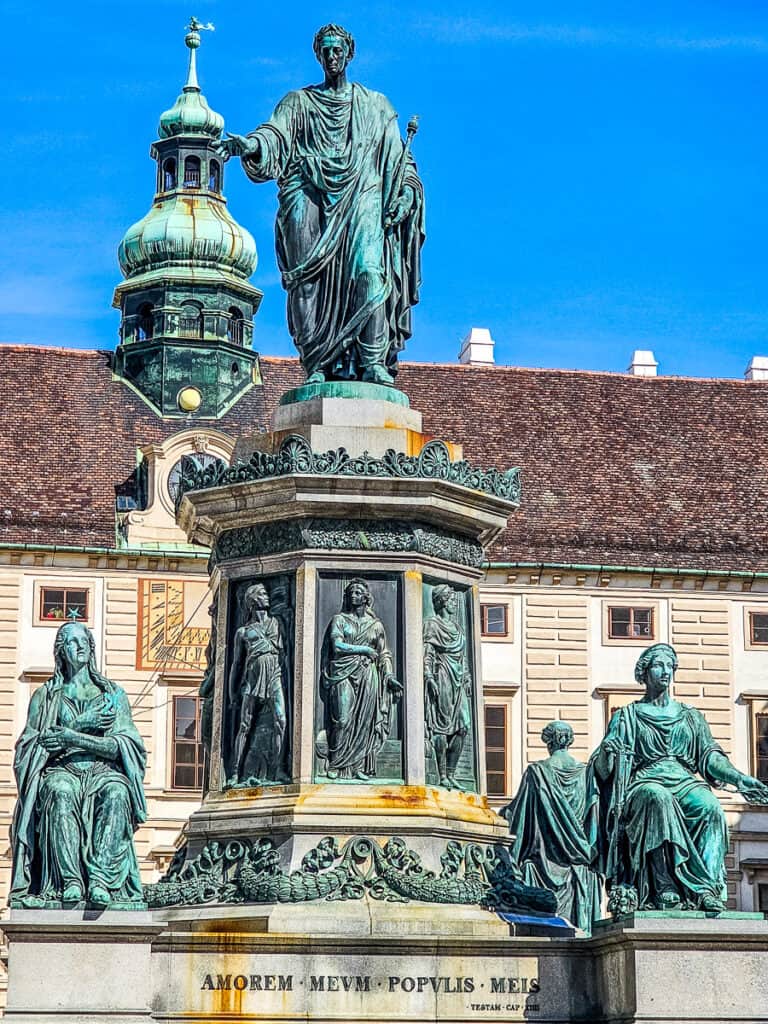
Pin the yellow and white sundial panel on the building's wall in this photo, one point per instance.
(174, 625)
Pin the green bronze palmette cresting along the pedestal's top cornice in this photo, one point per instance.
(295, 456)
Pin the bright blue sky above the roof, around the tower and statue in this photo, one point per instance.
(596, 175)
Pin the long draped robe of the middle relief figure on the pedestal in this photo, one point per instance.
(356, 694)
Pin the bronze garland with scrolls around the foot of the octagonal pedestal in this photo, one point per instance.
(242, 872)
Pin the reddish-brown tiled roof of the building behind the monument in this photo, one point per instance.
(619, 471)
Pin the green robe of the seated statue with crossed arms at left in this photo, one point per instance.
(77, 813)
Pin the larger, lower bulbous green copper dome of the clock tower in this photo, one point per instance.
(181, 231)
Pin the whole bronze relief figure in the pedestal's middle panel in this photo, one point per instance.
(358, 689)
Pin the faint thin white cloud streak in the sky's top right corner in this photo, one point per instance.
(470, 30)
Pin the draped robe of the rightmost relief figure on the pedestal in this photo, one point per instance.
(447, 708)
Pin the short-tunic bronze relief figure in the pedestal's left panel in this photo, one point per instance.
(257, 686)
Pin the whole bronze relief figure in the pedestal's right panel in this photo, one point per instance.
(448, 686)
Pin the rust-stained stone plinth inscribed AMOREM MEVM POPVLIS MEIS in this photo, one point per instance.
(375, 962)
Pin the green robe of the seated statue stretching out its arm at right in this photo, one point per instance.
(655, 800)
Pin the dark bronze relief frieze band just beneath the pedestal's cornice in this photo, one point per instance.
(347, 535)
